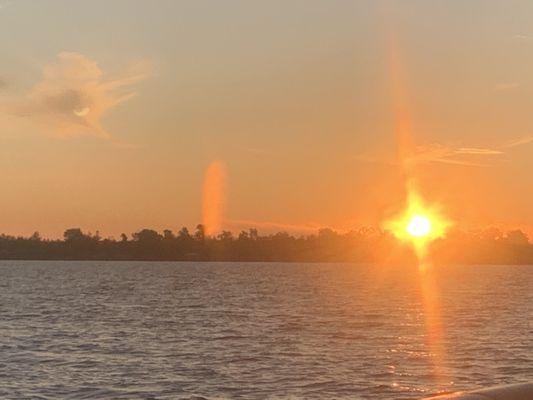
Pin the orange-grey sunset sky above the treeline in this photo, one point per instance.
(280, 115)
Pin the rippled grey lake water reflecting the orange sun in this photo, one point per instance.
(253, 331)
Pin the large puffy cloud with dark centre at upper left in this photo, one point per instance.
(73, 96)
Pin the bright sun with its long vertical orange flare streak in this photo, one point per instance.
(419, 224)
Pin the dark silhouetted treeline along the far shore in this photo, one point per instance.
(490, 246)
